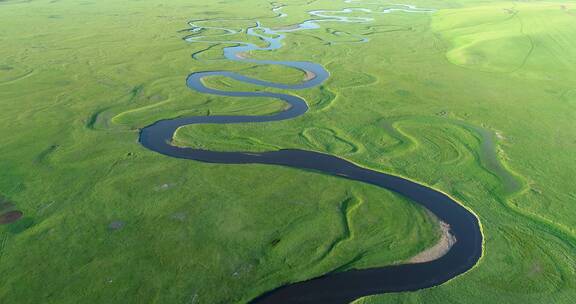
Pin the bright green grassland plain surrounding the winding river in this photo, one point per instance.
(477, 100)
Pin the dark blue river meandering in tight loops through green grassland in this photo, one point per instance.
(337, 287)
